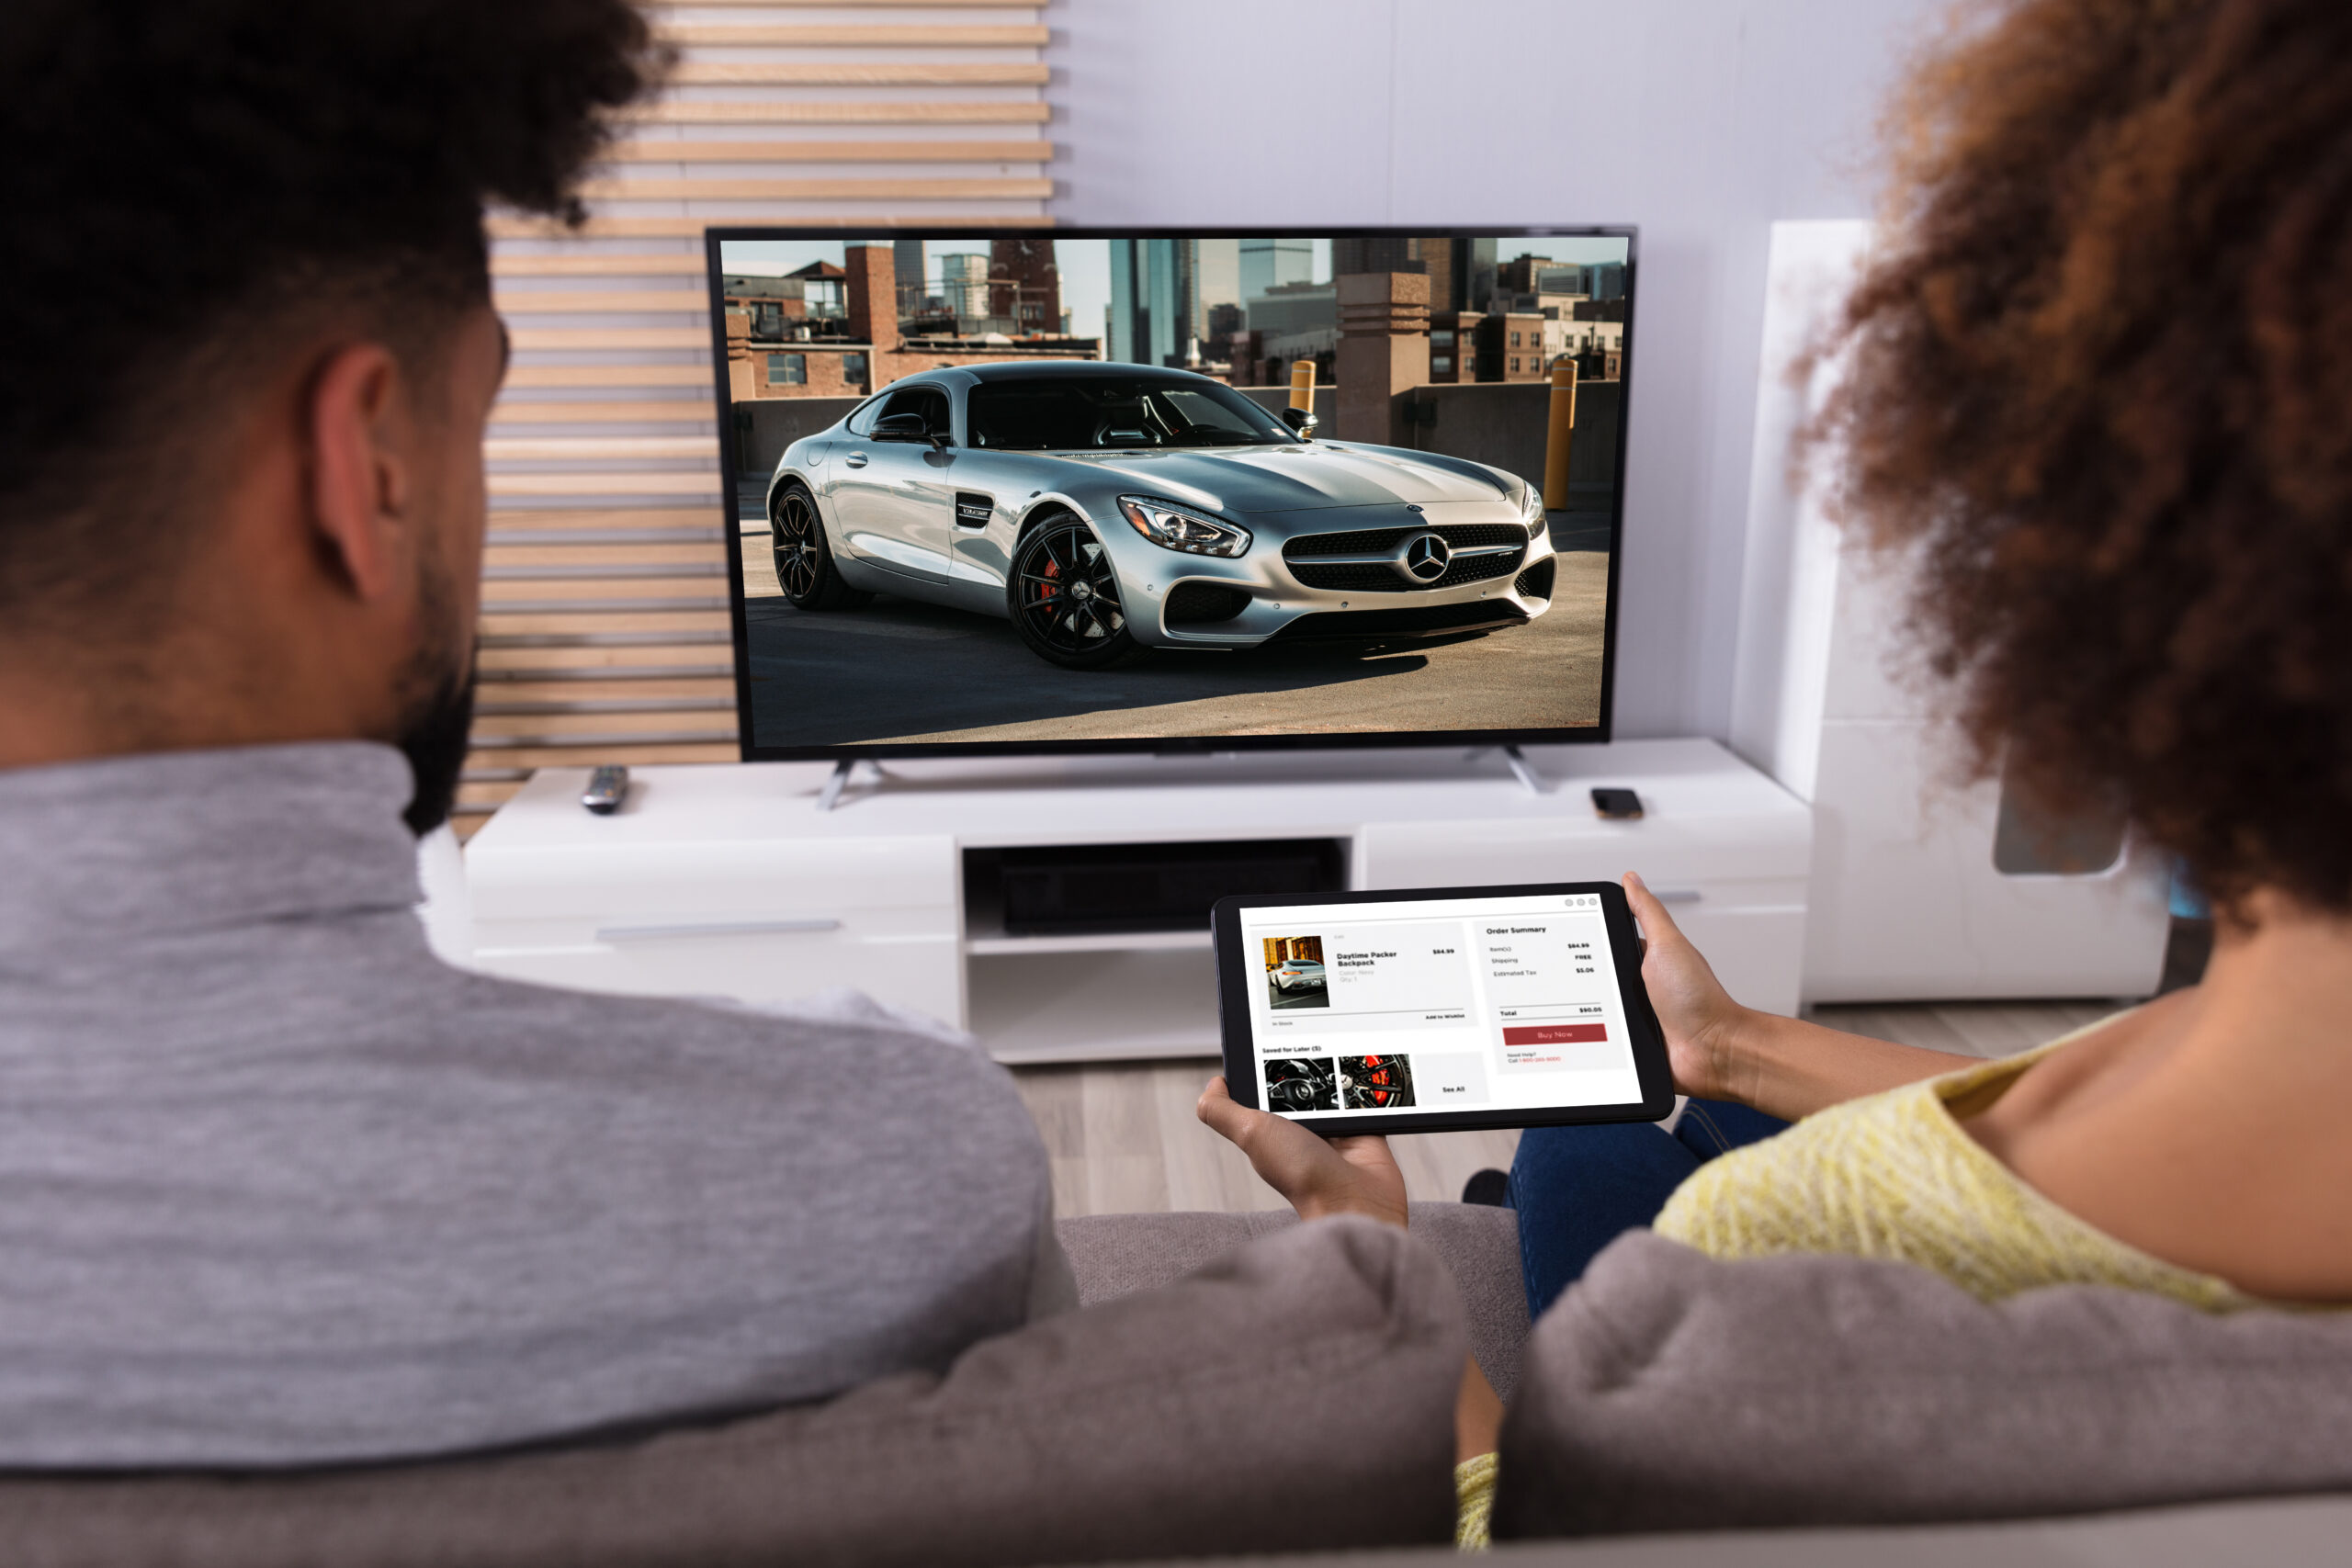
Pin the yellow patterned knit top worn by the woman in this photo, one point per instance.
(1897, 1177)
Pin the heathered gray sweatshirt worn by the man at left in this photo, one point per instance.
(281, 1188)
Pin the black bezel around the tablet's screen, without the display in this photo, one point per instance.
(1652, 1071)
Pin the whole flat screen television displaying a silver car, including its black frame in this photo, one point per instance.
(1165, 490)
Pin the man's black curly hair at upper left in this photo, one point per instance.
(189, 180)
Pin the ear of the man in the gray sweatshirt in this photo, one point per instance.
(361, 455)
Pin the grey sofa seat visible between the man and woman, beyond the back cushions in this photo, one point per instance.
(1116, 1254)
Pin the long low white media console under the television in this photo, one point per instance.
(733, 883)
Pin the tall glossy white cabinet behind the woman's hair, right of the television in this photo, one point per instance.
(1906, 899)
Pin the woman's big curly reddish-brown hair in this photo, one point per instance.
(2102, 387)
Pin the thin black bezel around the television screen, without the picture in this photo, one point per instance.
(855, 751)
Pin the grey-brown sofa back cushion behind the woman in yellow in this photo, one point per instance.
(1676, 1393)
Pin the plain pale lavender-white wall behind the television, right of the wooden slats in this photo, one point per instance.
(1702, 121)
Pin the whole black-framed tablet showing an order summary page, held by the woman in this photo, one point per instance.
(1441, 1010)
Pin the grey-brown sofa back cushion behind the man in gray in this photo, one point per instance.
(1290, 1395)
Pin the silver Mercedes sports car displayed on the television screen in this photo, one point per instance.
(1109, 509)
